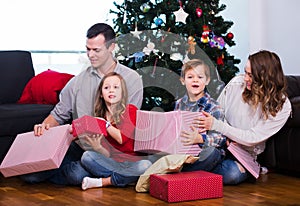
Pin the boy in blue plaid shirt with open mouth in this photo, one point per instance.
(195, 75)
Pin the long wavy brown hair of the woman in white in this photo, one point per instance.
(268, 83)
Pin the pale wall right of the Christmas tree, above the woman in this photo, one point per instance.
(266, 24)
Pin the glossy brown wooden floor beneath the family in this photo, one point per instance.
(271, 189)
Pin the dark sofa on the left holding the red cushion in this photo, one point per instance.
(16, 69)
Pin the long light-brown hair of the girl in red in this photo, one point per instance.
(100, 105)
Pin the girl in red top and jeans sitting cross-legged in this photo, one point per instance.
(113, 161)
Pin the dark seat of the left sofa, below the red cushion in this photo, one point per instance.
(19, 118)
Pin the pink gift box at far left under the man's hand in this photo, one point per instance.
(30, 153)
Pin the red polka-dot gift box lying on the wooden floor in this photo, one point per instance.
(185, 186)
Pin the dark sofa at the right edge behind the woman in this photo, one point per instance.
(282, 153)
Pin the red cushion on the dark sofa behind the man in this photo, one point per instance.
(44, 88)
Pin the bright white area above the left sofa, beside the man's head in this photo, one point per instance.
(49, 24)
